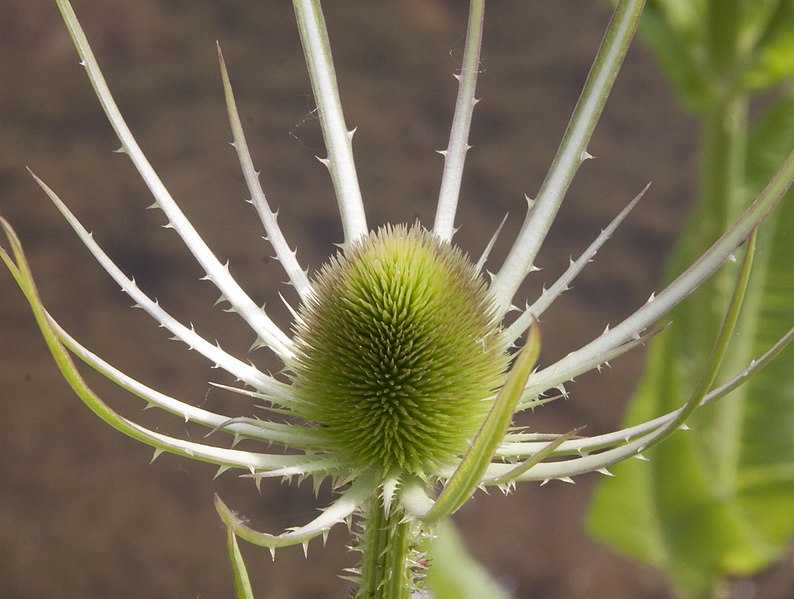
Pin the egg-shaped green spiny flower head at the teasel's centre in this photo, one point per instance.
(397, 351)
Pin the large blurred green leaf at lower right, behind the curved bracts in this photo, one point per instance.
(717, 501)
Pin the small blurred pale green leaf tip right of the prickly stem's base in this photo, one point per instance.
(454, 574)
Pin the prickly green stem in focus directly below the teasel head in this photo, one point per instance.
(387, 547)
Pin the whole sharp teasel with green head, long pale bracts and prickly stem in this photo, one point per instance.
(407, 361)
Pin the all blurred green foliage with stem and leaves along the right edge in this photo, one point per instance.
(719, 502)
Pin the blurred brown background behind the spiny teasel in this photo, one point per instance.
(82, 512)
